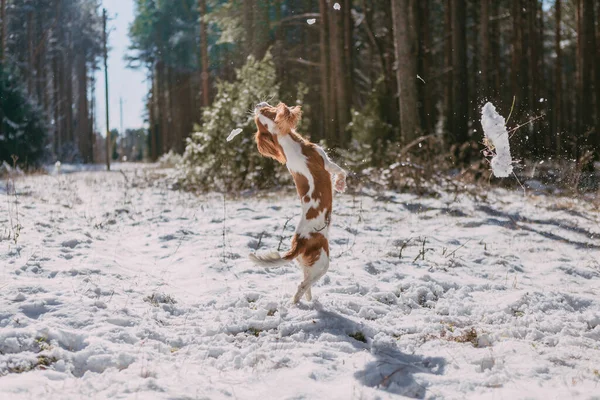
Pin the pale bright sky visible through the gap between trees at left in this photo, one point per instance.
(131, 85)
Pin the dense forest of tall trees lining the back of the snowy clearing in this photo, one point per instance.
(373, 76)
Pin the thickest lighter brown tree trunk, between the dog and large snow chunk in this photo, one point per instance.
(406, 44)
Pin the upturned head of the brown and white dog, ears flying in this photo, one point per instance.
(276, 120)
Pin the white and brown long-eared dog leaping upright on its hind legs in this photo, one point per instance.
(312, 171)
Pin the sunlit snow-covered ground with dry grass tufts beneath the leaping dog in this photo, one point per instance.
(117, 287)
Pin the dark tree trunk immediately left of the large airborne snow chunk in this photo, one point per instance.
(460, 76)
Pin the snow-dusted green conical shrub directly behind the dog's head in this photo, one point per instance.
(209, 161)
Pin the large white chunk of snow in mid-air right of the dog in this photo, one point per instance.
(494, 128)
